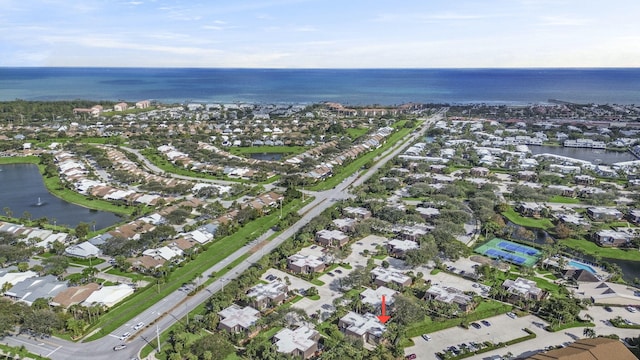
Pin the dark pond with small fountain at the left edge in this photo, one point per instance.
(22, 190)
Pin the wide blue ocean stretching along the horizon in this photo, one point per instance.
(348, 86)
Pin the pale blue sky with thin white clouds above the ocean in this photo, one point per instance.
(320, 33)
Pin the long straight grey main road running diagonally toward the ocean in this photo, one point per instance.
(175, 306)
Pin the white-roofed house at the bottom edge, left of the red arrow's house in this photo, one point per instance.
(301, 342)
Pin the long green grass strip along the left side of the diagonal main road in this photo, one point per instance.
(144, 298)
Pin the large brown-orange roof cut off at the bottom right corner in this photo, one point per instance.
(600, 348)
